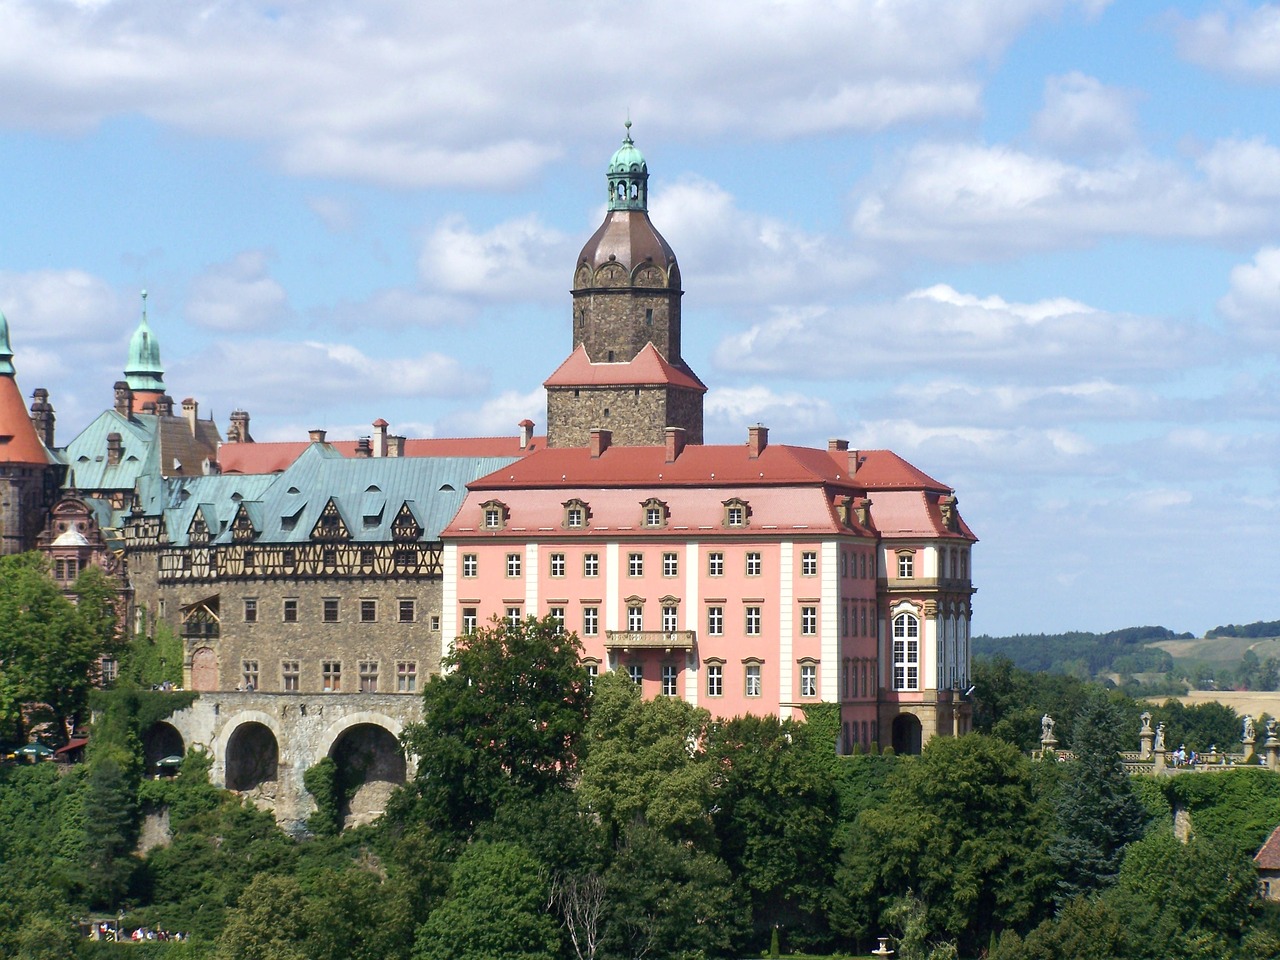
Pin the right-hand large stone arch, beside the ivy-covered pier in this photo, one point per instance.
(371, 765)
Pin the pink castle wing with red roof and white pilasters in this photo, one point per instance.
(744, 584)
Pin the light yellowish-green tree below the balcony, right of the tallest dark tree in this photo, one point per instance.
(646, 762)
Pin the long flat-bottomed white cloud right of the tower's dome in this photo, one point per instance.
(940, 328)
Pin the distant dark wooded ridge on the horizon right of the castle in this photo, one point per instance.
(1084, 653)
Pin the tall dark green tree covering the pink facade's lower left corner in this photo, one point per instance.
(502, 721)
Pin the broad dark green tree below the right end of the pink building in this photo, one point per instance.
(964, 829)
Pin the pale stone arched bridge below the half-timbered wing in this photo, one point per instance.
(262, 744)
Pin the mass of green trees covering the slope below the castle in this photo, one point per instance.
(551, 820)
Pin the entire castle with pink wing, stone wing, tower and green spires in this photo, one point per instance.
(751, 578)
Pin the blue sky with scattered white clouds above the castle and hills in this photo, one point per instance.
(1034, 246)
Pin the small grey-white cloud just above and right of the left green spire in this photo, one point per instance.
(239, 295)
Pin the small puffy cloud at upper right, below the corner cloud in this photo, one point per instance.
(1082, 115)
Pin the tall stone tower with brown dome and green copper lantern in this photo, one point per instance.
(625, 374)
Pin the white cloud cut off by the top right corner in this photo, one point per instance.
(1240, 42)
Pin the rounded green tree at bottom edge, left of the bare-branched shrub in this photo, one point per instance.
(496, 909)
